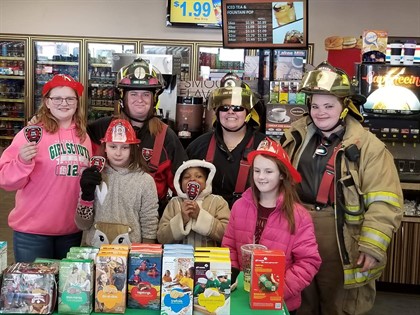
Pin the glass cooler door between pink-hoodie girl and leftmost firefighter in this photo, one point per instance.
(101, 80)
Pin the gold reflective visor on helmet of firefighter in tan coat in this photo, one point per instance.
(323, 81)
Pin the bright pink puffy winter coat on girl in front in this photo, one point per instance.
(300, 248)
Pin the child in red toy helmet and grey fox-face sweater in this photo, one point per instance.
(118, 204)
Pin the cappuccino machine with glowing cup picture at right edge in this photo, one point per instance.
(392, 112)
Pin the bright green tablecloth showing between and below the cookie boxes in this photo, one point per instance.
(239, 304)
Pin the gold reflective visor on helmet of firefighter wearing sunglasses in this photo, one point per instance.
(231, 96)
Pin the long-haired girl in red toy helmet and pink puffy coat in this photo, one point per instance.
(269, 213)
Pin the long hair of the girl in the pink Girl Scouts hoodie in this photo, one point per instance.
(50, 123)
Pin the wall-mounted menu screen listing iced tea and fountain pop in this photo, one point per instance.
(265, 24)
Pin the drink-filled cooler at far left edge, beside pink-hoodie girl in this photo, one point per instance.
(13, 87)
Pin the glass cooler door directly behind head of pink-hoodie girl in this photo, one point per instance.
(51, 58)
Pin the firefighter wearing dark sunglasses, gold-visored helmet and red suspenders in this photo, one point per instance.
(234, 135)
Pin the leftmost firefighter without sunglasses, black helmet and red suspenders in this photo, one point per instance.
(139, 85)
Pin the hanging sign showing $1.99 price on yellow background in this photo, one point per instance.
(196, 11)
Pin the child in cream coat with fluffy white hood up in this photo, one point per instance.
(195, 216)
